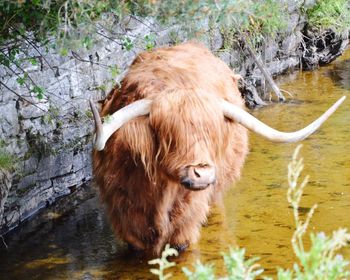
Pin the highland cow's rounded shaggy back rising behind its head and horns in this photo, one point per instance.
(189, 66)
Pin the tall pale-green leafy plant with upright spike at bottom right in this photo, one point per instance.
(321, 260)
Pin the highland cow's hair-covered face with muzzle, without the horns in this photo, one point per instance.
(190, 136)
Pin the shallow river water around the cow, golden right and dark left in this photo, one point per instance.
(255, 212)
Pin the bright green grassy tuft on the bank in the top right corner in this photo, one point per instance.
(330, 14)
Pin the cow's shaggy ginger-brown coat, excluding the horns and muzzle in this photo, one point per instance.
(138, 170)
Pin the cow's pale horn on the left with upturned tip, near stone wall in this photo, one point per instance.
(116, 120)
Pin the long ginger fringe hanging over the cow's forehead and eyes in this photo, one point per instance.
(140, 136)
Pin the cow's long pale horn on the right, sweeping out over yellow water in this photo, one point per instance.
(239, 115)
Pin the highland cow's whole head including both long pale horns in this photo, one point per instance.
(189, 132)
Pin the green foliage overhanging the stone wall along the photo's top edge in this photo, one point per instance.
(72, 23)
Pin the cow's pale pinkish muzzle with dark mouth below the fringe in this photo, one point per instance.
(199, 177)
